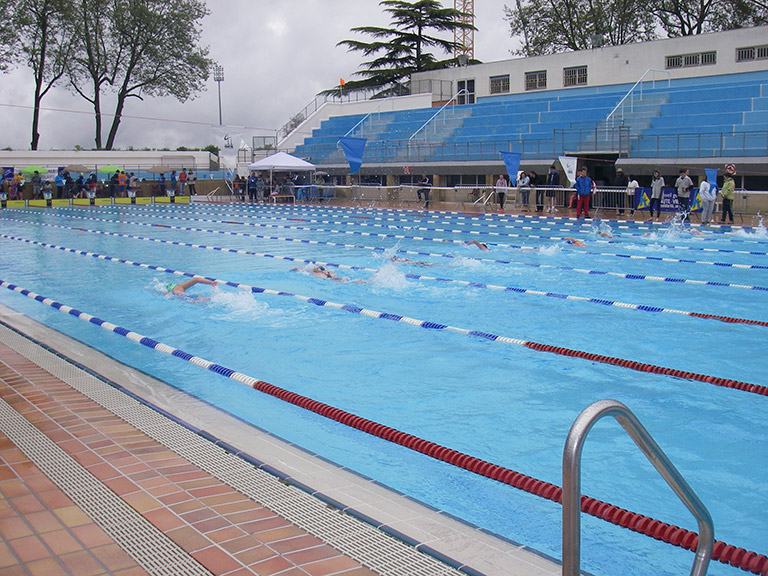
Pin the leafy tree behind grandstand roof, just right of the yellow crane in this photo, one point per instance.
(551, 26)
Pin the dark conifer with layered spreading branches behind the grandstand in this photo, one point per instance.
(404, 47)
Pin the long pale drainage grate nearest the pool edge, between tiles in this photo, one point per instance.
(379, 551)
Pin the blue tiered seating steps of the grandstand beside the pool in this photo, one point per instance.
(695, 117)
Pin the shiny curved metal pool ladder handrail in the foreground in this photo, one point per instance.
(574, 445)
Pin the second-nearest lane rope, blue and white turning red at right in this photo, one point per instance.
(537, 346)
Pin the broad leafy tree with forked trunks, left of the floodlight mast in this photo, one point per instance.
(139, 48)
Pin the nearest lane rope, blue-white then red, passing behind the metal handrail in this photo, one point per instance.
(680, 537)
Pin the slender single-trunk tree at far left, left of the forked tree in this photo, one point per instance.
(44, 41)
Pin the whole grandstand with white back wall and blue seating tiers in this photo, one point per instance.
(696, 102)
